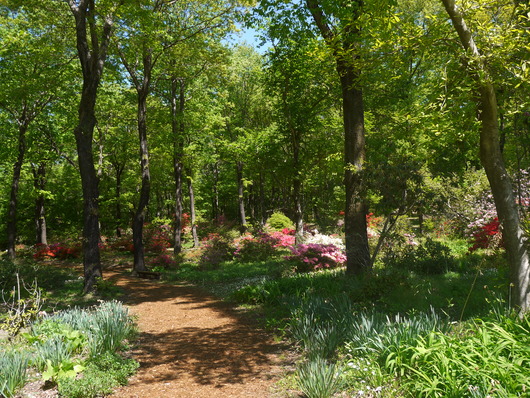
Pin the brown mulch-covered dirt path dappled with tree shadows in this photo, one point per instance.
(192, 345)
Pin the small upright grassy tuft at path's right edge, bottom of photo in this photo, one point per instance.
(318, 378)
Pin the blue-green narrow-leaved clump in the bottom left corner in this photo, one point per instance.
(13, 373)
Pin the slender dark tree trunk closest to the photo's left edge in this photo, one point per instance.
(13, 198)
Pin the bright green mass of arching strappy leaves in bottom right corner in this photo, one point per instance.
(485, 357)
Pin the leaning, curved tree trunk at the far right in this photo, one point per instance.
(493, 163)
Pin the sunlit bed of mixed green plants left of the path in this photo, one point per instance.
(78, 350)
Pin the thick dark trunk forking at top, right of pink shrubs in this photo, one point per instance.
(357, 249)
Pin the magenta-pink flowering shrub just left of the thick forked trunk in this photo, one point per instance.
(314, 256)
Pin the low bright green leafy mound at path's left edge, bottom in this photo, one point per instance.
(101, 375)
